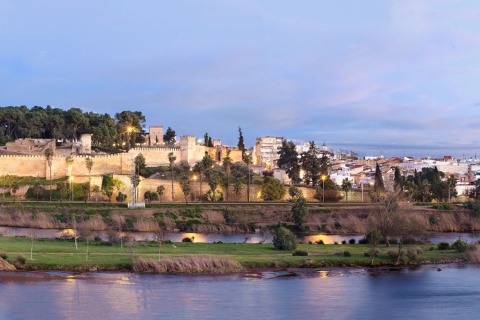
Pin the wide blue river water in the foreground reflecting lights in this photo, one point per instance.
(424, 293)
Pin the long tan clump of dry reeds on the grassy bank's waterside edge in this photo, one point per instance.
(192, 264)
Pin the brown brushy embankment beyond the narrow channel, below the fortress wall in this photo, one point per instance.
(232, 218)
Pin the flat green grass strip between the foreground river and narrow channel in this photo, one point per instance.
(55, 254)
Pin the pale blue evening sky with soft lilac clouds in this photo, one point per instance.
(391, 77)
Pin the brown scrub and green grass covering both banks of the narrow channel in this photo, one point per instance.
(395, 234)
